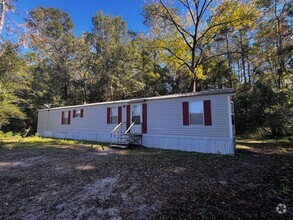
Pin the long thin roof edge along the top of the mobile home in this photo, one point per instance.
(136, 100)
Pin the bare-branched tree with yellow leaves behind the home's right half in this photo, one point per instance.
(194, 29)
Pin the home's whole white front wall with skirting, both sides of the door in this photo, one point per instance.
(165, 127)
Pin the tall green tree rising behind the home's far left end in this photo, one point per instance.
(50, 35)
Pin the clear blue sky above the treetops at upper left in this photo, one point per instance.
(81, 11)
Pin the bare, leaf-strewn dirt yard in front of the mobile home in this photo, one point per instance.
(81, 182)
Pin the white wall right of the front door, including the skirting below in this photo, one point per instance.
(166, 130)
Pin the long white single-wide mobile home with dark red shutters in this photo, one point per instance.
(201, 122)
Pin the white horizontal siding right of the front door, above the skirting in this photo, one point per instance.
(170, 112)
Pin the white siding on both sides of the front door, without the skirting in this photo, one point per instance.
(164, 117)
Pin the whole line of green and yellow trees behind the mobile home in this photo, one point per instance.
(190, 45)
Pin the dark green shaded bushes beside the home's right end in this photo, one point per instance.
(260, 107)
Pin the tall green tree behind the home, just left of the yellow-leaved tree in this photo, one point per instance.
(115, 57)
